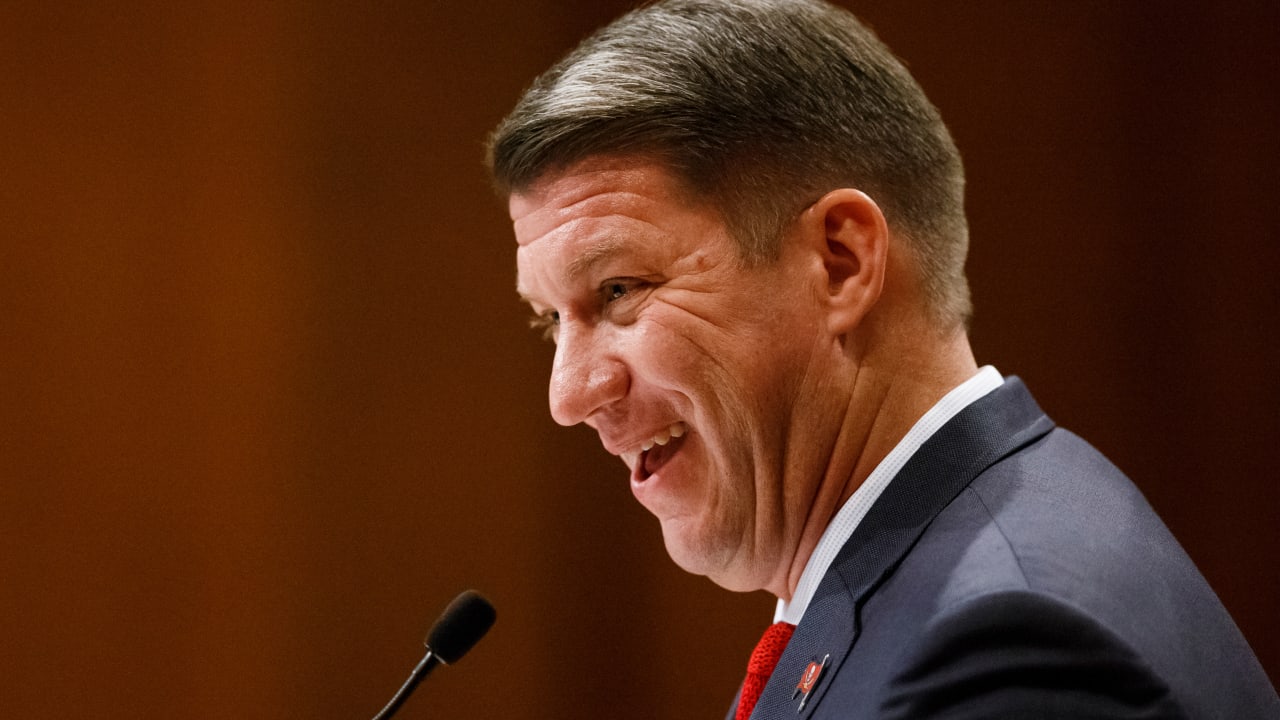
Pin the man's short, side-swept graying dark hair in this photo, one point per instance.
(761, 107)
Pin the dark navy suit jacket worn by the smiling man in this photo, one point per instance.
(1011, 571)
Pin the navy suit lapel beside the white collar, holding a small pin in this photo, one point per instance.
(991, 429)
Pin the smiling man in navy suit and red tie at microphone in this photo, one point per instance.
(742, 224)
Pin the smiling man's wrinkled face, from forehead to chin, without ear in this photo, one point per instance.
(691, 366)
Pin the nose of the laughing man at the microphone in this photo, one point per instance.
(587, 376)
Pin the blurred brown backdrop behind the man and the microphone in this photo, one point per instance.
(268, 400)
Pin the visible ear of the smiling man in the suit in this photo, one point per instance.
(847, 229)
